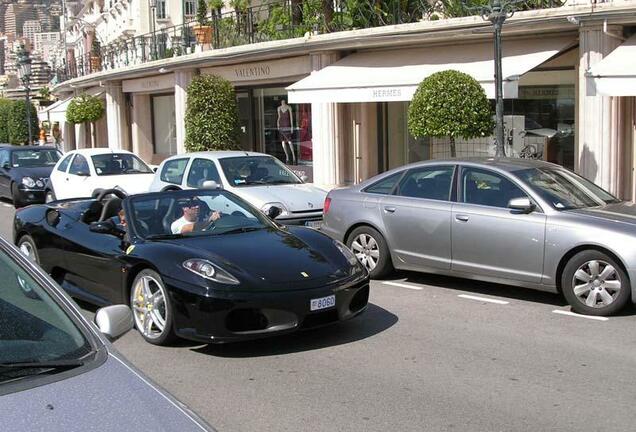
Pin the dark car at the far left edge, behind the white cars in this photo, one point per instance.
(25, 171)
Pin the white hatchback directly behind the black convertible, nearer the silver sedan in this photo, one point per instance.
(258, 178)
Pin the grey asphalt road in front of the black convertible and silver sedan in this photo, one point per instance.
(429, 354)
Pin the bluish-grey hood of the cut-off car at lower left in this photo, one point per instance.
(111, 397)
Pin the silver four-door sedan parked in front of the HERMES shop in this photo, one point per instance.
(513, 221)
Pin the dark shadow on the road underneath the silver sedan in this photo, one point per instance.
(491, 289)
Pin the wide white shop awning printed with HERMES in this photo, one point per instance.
(394, 75)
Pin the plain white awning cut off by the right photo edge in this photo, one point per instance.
(615, 75)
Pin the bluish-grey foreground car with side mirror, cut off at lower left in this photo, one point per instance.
(58, 373)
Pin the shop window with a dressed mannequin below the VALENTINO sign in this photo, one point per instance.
(284, 129)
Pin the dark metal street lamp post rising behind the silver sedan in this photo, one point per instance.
(497, 11)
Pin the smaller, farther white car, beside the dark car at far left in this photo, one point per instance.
(86, 172)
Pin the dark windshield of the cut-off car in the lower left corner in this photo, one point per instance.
(34, 329)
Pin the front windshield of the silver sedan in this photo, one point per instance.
(565, 190)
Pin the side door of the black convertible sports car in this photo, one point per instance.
(93, 262)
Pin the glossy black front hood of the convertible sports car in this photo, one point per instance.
(272, 256)
